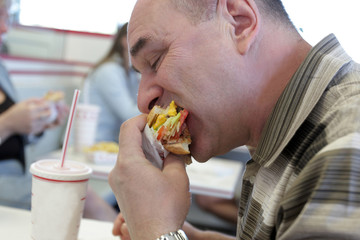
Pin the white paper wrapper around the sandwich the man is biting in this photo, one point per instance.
(153, 149)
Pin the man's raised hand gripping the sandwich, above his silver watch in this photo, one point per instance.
(152, 201)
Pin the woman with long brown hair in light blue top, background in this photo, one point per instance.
(113, 86)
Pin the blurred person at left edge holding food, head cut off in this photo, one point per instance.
(20, 123)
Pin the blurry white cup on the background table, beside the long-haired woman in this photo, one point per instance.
(85, 125)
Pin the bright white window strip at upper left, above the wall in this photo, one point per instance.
(99, 16)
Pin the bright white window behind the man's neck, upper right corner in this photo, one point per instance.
(317, 18)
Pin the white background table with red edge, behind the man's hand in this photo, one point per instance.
(217, 177)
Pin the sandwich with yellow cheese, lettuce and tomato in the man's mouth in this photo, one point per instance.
(166, 131)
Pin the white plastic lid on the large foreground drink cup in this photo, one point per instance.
(51, 169)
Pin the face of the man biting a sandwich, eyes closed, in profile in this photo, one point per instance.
(190, 64)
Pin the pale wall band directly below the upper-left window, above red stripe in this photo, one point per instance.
(57, 44)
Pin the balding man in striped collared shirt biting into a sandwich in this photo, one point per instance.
(247, 78)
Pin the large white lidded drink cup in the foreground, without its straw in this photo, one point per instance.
(58, 198)
